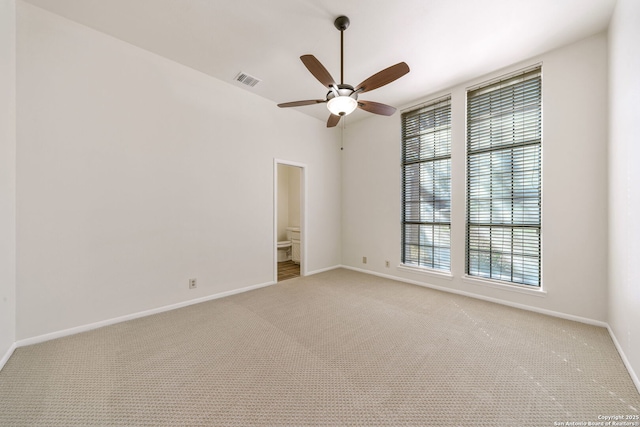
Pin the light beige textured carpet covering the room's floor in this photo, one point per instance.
(337, 348)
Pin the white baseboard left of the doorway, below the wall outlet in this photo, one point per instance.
(102, 323)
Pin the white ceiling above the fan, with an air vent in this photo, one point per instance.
(444, 42)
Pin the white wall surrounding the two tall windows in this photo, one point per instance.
(574, 188)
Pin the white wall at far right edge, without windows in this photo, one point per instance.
(624, 180)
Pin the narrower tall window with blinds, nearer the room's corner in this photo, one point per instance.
(426, 186)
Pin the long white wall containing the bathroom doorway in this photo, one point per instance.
(136, 173)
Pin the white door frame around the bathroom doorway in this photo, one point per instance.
(303, 215)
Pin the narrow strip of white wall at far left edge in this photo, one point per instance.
(7, 177)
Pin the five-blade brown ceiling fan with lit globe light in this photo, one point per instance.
(342, 99)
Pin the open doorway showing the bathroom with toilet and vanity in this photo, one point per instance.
(289, 220)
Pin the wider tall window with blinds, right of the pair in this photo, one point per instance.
(504, 129)
